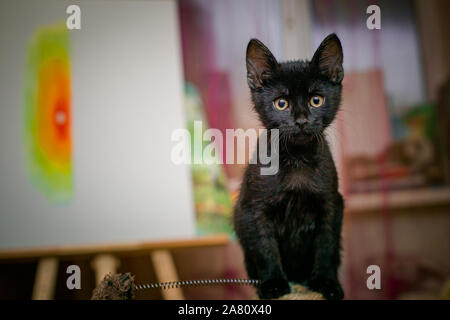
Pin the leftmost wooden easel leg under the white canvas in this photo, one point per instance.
(45, 279)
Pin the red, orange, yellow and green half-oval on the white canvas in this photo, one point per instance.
(47, 135)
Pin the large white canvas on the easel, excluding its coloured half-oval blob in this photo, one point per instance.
(126, 101)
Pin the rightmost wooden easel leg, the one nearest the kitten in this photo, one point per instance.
(166, 271)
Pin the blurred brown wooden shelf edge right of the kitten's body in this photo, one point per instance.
(398, 199)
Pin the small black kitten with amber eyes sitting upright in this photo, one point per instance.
(289, 223)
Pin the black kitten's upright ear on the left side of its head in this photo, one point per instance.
(260, 64)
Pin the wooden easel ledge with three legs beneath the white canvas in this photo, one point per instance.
(105, 261)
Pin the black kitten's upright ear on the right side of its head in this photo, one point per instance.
(329, 58)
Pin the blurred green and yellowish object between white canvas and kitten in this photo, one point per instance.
(213, 205)
